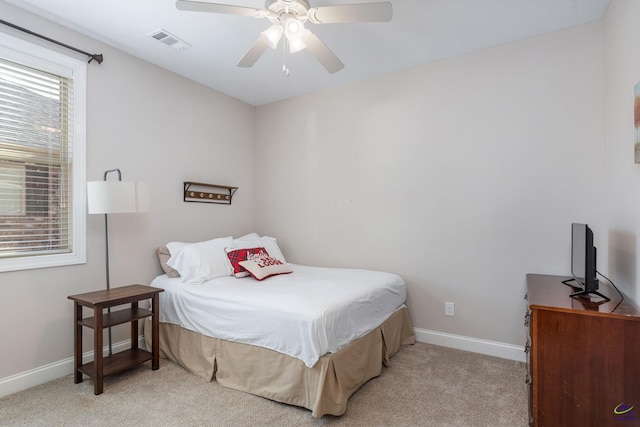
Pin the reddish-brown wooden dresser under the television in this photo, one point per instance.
(583, 358)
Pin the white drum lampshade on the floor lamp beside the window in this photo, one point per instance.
(108, 197)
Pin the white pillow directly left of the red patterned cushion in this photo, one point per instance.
(199, 262)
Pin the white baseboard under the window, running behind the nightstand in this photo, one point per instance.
(52, 371)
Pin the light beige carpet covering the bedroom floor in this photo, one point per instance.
(425, 385)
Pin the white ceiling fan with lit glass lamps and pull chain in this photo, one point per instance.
(289, 18)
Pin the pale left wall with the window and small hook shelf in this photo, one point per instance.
(158, 128)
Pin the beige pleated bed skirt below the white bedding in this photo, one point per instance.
(324, 388)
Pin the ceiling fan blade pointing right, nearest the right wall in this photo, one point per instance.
(363, 12)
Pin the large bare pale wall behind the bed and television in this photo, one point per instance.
(462, 176)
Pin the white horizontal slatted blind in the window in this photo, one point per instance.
(36, 161)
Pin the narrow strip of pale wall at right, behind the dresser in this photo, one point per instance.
(623, 175)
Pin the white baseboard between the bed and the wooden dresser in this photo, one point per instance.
(476, 345)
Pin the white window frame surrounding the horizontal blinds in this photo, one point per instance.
(42, 58)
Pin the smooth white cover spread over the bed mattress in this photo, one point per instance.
(306, 314)
